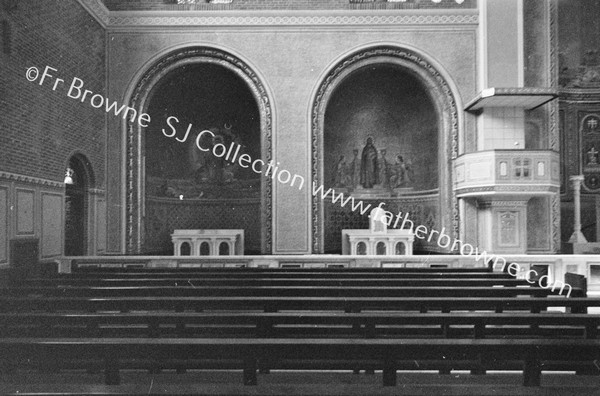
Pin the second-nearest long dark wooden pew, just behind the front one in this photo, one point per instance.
(285, 324)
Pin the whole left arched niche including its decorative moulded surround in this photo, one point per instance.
(171, 184)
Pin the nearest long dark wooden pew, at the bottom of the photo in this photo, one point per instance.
(250, 351)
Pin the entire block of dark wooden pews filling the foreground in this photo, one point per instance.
(263, 319)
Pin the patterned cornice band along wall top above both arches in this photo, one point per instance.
(120, 19)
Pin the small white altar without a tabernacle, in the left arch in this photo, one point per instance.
(208, 242)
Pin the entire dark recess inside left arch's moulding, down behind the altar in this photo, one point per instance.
(187, 188)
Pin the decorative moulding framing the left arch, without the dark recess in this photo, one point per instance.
(139, 100)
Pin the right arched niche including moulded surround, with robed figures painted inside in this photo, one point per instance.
(395, 70)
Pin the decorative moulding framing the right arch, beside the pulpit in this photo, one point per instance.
(444, 101)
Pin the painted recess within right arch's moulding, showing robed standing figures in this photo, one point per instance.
(381, 145)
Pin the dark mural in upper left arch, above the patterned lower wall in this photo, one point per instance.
(209, 97)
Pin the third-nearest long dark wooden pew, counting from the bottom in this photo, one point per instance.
(274, 304)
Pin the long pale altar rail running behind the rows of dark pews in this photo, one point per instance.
(555, 265)
